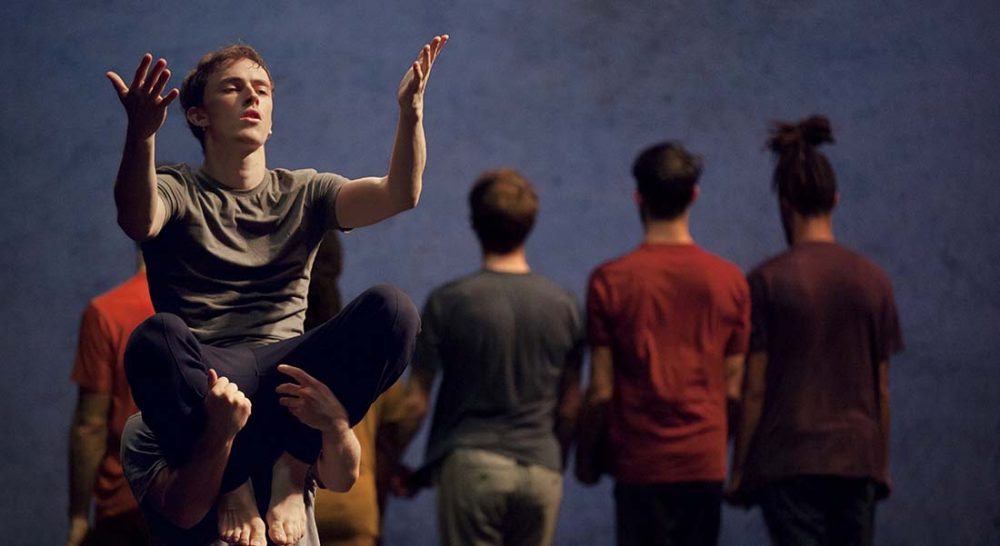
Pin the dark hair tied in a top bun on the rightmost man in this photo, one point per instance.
(803, 177)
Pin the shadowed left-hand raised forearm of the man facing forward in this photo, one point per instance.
(135, 188)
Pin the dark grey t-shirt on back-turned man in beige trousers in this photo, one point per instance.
(502, 342)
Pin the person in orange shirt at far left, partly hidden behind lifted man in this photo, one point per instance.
(103, 404)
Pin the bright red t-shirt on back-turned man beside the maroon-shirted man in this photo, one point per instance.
(670, 314)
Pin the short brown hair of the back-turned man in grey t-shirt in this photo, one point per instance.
(504, 206)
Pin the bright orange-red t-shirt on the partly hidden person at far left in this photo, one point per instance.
(104, 329)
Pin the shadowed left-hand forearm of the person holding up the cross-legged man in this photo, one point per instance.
(185, 495)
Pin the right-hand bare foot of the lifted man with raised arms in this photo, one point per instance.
(286, 515)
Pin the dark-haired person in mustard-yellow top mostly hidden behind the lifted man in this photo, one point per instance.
(354, 518)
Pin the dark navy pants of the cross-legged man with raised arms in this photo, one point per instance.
(358, 354)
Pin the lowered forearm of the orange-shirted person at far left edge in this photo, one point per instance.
(86, 447)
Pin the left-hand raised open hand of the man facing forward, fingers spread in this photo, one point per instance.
(146, 109)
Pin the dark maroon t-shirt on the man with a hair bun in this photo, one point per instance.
(826, 317)
